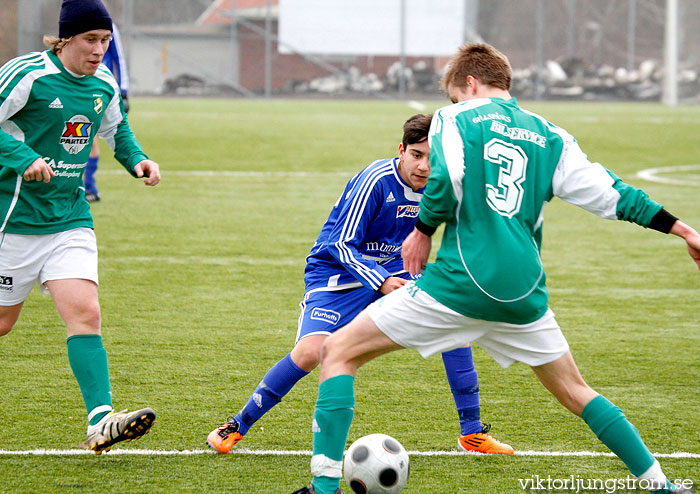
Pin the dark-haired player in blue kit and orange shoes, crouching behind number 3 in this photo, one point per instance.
(355, 261)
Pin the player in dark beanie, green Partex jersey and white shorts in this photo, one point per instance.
(53, 104)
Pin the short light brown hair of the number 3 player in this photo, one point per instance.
(481, 61)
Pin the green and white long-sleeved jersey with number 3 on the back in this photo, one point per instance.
(494, 166)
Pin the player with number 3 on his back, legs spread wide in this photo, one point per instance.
(494, 165)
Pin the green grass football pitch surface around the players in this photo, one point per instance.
(201, 279)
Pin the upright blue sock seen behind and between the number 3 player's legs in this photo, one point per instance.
(464, 383)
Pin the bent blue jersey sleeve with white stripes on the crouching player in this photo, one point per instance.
(358, 207)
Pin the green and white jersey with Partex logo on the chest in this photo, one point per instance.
(47, 112)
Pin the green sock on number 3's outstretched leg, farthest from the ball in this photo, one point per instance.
(612, 427)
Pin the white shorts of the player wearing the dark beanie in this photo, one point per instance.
(29, 259)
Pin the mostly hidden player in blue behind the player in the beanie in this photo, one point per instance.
(115, 60)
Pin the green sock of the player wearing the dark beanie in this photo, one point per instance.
(88, 359)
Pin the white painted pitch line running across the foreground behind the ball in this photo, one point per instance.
(275, 452)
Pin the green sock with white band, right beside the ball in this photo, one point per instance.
(332, 418)
